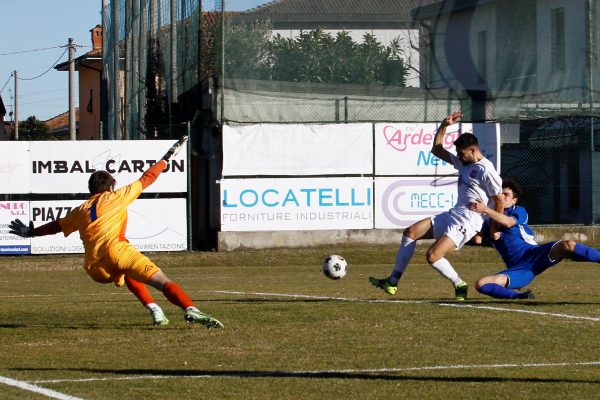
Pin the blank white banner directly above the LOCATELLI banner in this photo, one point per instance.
(280, 149)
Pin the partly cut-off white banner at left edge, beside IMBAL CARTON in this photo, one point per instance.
(14, 167)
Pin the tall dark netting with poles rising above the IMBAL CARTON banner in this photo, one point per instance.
(151, 58)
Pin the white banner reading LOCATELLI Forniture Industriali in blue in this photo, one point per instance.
(296, 204)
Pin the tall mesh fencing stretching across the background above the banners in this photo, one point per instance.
(332, 61)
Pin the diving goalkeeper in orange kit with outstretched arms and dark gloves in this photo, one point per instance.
(109, 257)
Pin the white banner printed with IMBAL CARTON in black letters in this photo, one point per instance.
(65, 167)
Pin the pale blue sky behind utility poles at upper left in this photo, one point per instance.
(32, 33)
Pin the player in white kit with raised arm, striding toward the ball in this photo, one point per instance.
(477, 179)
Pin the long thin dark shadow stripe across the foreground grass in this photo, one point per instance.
(358, 375)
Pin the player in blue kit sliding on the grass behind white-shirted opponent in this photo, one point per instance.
(524, 258)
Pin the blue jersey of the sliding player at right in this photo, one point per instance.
(516, 240)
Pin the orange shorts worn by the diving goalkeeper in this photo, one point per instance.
(123, 259)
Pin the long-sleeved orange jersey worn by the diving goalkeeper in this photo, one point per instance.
(102, 219)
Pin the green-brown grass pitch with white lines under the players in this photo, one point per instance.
(290, 333)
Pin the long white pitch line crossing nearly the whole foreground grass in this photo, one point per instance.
(300, 374)
